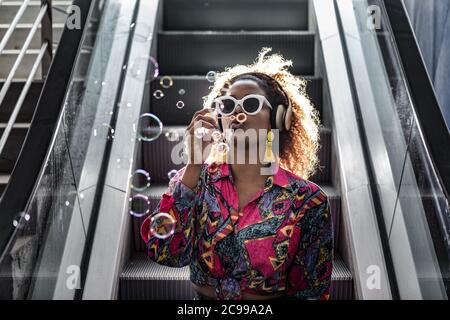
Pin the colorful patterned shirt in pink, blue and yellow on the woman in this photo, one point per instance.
(280, 243)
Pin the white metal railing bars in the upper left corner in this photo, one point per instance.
(44, 19)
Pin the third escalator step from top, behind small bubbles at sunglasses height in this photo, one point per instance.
(191, 89)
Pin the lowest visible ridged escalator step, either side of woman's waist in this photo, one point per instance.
(143, 279)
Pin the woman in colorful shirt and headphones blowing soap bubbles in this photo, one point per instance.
(248, 235)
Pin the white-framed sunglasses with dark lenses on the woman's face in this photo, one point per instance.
(251, 104)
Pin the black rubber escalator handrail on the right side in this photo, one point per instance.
(425, 103)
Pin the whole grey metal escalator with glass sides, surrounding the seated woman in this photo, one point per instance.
(66, 227)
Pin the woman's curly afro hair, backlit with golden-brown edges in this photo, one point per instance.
(299, 146)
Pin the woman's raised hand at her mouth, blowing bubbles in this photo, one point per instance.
(198, 136)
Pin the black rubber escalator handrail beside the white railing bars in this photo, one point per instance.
(43, 125)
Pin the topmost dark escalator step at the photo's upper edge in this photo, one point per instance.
(235, 15)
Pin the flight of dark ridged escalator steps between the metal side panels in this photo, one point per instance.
(207, 38)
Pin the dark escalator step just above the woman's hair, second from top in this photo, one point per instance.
(197, 53)
